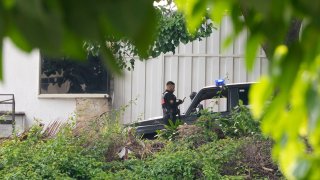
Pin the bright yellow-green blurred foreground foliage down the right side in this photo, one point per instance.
(287, 99)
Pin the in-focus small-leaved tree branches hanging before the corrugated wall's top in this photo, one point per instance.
(170, 32)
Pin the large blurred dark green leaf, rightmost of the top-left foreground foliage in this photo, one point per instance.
(133, 19)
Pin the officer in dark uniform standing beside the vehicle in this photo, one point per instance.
(170, 103)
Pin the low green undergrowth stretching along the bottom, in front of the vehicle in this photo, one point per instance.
(195, 152)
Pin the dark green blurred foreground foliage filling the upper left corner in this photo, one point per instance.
(59, 27)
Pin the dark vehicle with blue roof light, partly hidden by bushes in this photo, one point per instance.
(220, 98)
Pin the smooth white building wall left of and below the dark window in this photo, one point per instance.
(21, 78)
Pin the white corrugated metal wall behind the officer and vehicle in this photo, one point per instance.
(194, 66)
